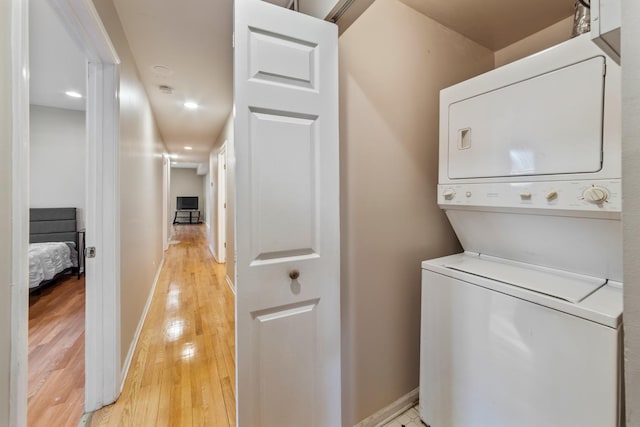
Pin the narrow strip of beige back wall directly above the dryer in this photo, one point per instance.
(550, 36)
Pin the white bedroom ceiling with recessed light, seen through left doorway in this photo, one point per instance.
(56, 62)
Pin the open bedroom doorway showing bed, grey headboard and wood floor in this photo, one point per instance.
(57, 205)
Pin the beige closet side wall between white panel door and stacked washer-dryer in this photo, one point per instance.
(393, 63)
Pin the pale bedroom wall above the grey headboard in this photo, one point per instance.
(57, 159)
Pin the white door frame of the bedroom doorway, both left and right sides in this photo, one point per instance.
(102, 333)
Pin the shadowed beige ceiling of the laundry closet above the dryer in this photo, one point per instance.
(494, 23)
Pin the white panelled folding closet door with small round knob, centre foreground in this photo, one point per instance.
(287, 220)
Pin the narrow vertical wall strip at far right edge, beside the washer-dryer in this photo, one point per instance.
(631, 195)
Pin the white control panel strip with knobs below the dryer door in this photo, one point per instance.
(597, 195)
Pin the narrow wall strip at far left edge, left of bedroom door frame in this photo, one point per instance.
(5, 208)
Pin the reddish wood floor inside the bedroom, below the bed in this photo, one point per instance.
(56, 354)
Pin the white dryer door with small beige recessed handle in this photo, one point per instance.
(547, 124)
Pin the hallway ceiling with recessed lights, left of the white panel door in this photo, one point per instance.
(192, 39)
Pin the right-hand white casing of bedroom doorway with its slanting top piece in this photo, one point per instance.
(102, 328)
